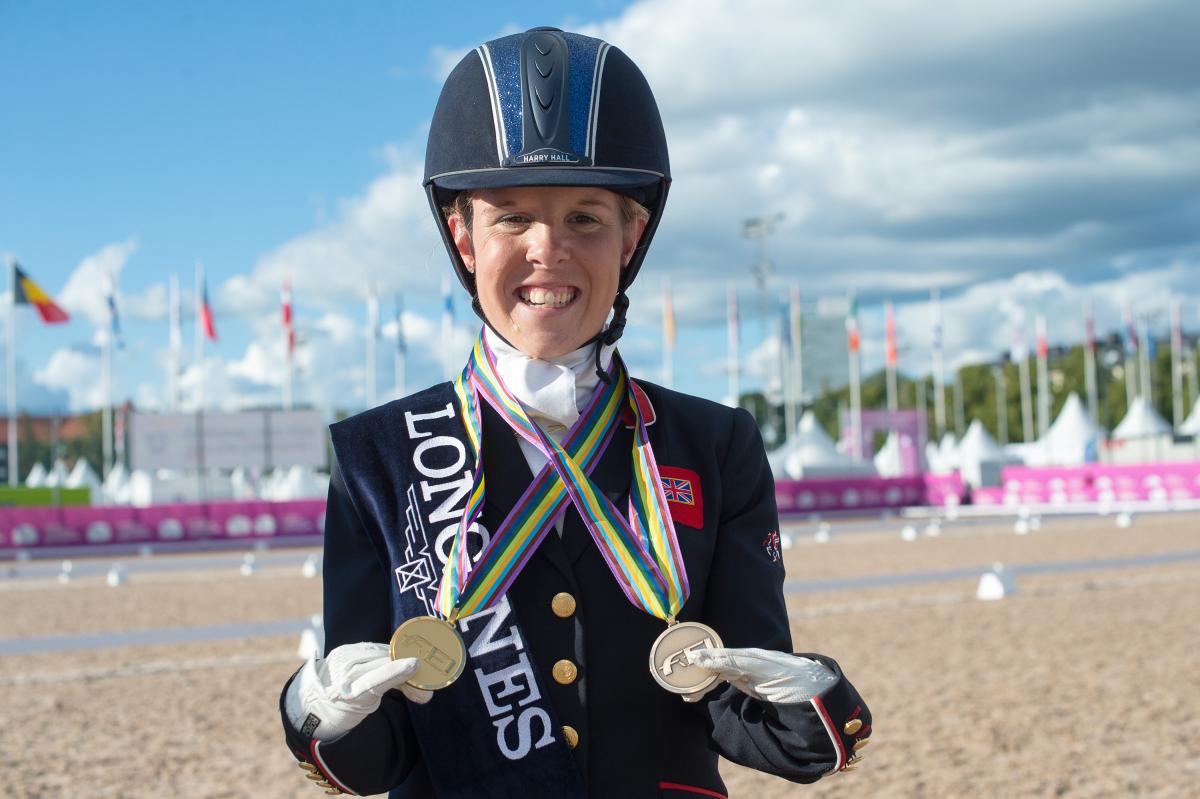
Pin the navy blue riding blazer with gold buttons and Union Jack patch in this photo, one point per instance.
(632, 738)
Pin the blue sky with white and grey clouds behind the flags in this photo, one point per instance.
(1018, 158)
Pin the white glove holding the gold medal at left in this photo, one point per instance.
(346, 687)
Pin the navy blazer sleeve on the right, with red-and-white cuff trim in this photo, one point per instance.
(746, 604)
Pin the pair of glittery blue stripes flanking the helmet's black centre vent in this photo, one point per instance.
(502, 65)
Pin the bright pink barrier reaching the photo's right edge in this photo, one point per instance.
(1094, 483)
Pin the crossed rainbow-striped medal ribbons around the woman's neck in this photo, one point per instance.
(643, 554)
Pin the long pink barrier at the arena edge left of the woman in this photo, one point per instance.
(28, 528)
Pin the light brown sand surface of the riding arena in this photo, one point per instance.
(1081, 686)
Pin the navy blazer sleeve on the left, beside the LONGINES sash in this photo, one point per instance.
(381, 753)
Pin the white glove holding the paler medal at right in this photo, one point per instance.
(767, 676)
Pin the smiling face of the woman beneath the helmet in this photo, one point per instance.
(547, 262)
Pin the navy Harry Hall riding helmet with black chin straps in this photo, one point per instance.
(549, 109)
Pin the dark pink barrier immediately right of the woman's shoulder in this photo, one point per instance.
(866, 494)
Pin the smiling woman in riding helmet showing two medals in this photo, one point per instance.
(563, 519)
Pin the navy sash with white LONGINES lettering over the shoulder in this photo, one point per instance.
(494, 734)
